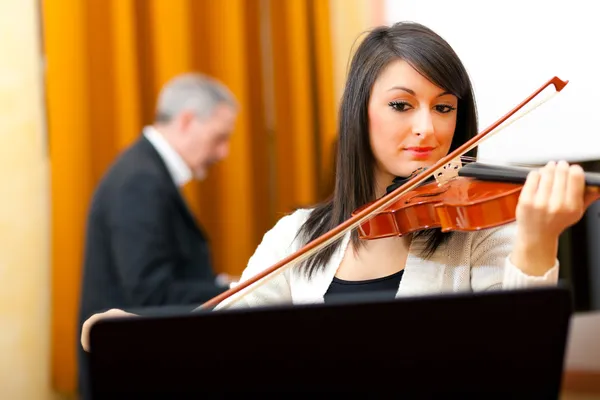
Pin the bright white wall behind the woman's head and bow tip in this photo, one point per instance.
(511, 48)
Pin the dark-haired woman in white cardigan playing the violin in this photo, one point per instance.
(408, 101)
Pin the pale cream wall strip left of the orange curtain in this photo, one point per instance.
(24, 239)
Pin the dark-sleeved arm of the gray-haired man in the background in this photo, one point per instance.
(145, 254)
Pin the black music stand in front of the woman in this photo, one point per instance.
(501, 344)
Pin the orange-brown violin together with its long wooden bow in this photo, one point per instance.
(462, 198)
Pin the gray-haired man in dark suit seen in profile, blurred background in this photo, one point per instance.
(143, 245)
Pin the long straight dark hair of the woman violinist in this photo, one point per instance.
(433, 57)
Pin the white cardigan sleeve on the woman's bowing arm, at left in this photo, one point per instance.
(277, 243)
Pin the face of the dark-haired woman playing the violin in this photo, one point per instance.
(411, 122)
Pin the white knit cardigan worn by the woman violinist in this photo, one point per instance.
(469, 261)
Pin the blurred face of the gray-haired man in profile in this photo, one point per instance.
(208, 139)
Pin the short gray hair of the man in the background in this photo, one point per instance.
(198, 93)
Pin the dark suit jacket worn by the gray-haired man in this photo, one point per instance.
(143, 246)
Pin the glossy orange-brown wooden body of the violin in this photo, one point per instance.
(462, 204)
